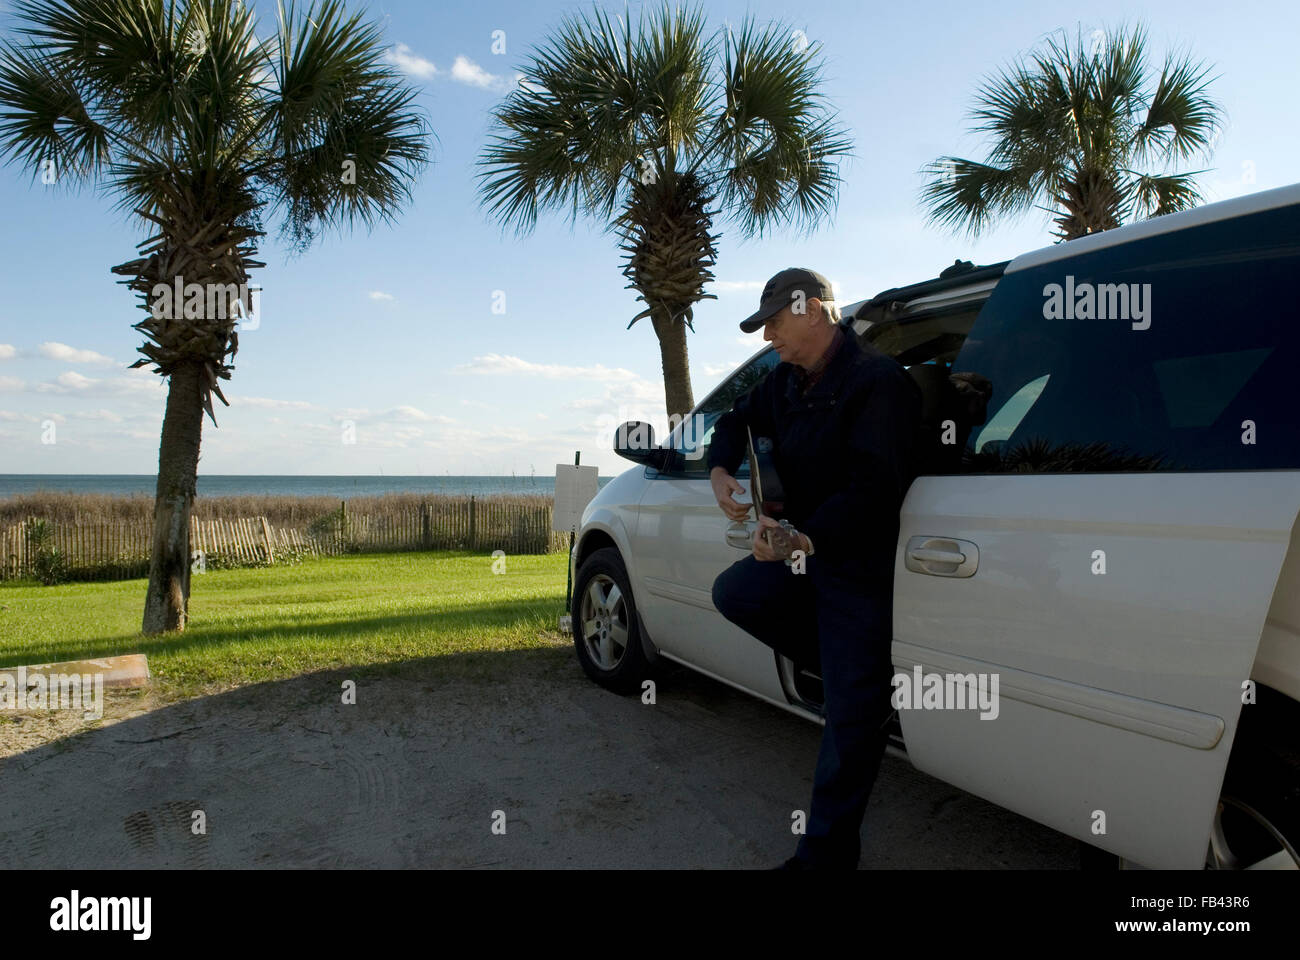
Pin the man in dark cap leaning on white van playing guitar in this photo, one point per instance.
(844, 421)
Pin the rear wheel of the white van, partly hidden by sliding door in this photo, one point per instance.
(1258, 820)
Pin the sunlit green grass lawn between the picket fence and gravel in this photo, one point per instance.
(248, 626)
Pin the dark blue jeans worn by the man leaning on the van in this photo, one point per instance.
(834, 620)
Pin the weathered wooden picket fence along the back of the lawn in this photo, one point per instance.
(111, 550)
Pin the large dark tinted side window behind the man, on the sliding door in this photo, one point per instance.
(1172, 353)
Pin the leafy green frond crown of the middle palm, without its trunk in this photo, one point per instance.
(604, 105)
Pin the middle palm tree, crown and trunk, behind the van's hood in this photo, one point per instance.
(657, 131)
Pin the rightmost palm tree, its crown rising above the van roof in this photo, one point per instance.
(1085, 131)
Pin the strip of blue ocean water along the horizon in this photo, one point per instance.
(232, 486)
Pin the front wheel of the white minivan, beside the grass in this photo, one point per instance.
(606, 629)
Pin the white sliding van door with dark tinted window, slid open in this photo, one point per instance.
(1113, 540)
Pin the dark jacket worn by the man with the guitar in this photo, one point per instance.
(846, 453)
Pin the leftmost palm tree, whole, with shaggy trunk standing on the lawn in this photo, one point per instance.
(201, 129)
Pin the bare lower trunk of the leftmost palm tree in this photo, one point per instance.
(166, 604)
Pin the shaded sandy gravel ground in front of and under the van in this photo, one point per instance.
(417, 772)
